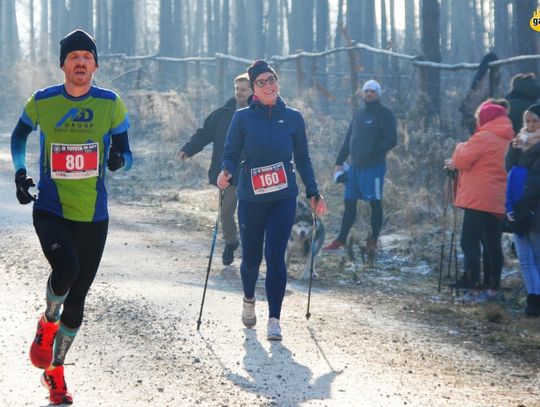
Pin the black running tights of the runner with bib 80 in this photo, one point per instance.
(74, 251)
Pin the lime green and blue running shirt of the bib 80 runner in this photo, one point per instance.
(75, 137)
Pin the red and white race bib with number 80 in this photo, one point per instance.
(74, 161)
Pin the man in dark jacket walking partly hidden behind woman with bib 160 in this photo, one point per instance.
(214, 130)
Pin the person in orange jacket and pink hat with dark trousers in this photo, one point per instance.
(481, 193)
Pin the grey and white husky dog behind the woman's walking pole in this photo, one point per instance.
(300, 240)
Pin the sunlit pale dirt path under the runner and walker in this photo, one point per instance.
(139, 345)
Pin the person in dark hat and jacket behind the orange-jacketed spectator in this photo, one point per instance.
(524, 93)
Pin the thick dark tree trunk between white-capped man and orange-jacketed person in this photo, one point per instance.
(430, 78)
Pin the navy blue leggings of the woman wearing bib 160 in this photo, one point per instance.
(274, 221)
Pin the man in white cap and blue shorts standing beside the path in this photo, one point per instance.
(372, 133)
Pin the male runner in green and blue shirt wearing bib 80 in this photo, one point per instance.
(83, 131)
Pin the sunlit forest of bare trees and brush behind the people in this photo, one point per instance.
(173, 62)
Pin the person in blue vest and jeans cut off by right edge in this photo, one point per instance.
(523, 203)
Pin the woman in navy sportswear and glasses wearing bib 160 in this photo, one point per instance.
(268, 135)
